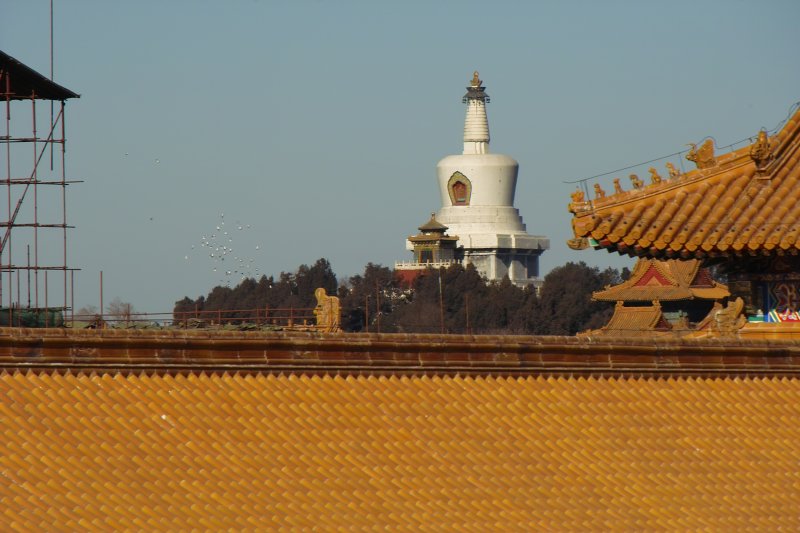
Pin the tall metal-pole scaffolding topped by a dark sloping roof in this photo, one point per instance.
(33, 228)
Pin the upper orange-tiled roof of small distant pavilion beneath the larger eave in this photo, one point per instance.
(671, 279)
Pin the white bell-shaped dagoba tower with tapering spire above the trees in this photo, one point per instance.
(477, 189)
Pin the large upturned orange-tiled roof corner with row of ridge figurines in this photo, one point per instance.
(747, 201)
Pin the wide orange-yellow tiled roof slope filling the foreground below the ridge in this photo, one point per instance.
(259, 451)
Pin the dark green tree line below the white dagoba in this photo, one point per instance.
(453, 300)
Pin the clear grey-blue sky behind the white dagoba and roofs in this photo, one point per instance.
(317, 126)
